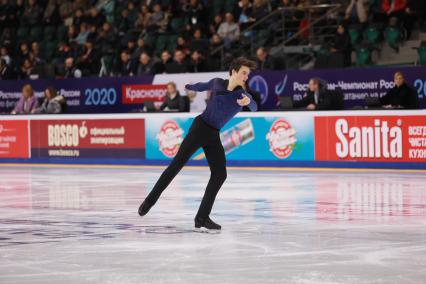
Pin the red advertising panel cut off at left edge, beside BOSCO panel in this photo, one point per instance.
(14, 139)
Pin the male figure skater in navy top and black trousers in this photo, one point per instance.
(227, 98)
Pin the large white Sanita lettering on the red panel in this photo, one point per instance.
(375, 141)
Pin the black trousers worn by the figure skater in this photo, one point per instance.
(200, 135)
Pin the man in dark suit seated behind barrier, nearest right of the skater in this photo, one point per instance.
(317, 97)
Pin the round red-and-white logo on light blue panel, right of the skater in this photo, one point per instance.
(281, 137)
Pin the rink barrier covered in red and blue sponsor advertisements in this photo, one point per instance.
(340, 139)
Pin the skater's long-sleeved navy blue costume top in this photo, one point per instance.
(222, 105)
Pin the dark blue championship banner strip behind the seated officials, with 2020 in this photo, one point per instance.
(128, 94)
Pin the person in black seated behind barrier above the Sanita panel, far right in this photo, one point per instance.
(400, 96)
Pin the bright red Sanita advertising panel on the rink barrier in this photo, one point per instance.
(370, 138)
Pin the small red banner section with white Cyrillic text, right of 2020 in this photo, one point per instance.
(138, 94)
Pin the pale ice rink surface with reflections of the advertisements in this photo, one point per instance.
(80, 225)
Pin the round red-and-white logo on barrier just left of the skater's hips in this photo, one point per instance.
(170, 138)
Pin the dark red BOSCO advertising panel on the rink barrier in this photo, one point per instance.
(108, 138)
